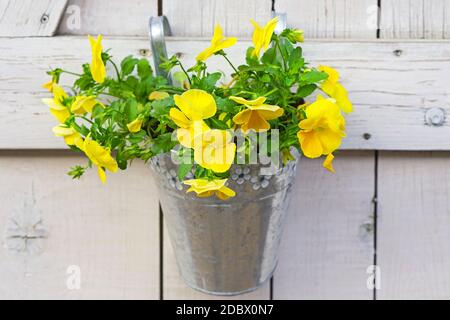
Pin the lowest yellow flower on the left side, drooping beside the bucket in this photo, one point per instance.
(99, 156)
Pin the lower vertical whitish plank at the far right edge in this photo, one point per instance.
(413, 222)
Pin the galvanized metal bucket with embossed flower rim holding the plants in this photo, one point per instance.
(226, 247)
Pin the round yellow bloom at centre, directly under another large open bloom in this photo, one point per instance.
(214, 149)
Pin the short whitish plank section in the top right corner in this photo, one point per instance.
(415, 19)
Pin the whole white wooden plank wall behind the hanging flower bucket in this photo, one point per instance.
(388, 203)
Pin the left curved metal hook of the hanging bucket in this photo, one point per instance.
(159, 28)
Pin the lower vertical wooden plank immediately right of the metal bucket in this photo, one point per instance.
(326, 248)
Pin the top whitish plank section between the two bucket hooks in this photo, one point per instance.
(198, 17)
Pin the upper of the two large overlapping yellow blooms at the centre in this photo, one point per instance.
(195, 105)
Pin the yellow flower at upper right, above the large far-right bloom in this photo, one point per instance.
(335, 90)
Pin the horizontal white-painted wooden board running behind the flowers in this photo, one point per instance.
(391, 93)
